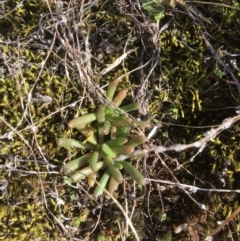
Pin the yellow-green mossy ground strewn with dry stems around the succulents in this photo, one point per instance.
(178, 60)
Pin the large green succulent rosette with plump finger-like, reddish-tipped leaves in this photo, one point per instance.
(103, 145)
